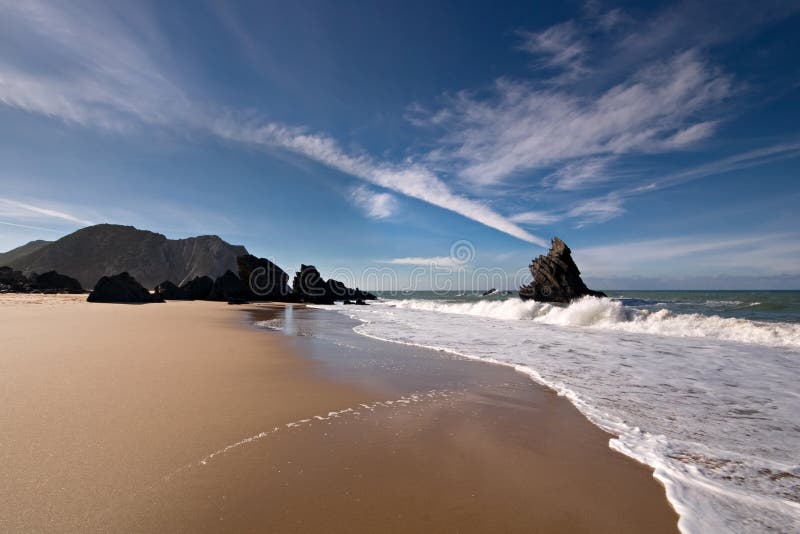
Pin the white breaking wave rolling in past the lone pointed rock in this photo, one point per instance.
(606, 313)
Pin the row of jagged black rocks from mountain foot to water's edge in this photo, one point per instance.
(258, 279)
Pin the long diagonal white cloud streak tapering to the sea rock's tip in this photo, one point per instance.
(113, 81)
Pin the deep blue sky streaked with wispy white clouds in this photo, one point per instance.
(660, 140)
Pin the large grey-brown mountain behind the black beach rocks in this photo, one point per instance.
(105, 249)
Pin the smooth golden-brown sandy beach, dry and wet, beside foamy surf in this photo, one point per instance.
(180, 417)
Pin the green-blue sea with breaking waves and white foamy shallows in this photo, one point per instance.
(702, 386)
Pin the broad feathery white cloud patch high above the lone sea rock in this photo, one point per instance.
(523, 126)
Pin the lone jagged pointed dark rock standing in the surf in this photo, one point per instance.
(556, 278)
